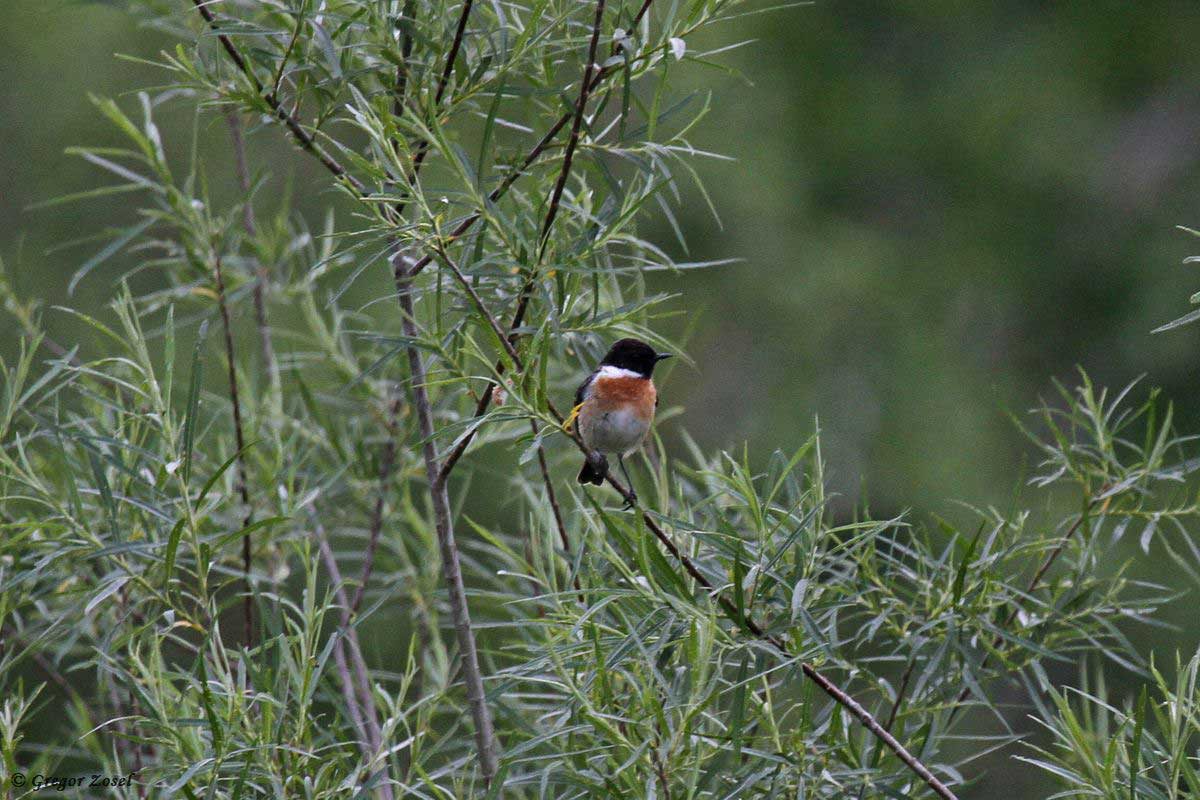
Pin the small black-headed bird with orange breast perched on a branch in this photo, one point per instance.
(615, 407)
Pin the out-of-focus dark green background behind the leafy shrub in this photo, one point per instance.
(940, 208)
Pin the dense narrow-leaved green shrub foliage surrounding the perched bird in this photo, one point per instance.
(664, 654)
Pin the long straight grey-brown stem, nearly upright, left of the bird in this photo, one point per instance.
(485, 736)
